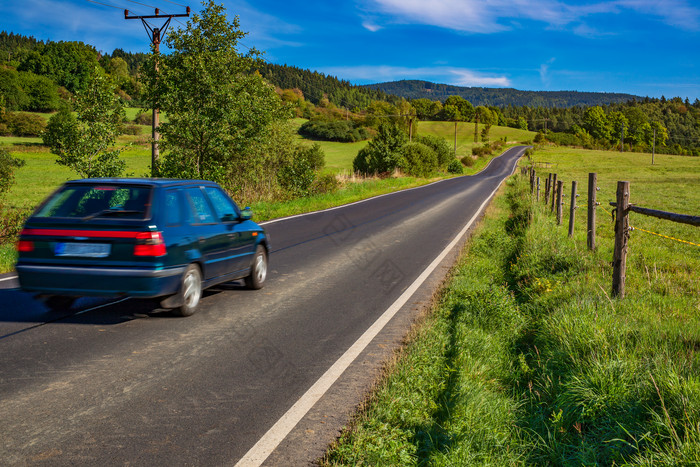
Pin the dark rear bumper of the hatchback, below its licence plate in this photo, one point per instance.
(99, 281)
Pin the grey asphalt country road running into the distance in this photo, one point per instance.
(126, 384)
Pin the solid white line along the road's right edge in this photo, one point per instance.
(274, 436)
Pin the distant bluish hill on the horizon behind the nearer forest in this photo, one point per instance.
(500, 97)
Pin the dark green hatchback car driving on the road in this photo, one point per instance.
(142, 238)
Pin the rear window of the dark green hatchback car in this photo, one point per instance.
(98, 201)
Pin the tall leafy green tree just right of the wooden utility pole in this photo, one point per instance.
(218, 112)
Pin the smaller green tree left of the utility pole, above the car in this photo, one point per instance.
(85, 143)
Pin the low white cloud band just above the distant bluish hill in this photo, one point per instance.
(440, 74)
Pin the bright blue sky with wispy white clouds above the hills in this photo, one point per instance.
(642, 47)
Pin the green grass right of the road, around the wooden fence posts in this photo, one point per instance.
(525, 358)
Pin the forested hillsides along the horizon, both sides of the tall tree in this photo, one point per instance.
(39, 76)
